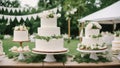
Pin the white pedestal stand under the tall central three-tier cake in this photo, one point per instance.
(50, 55)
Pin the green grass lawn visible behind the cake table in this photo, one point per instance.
(8, 43)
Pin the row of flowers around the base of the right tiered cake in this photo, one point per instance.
(92, 47)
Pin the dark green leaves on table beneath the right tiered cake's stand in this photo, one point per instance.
(86, 59)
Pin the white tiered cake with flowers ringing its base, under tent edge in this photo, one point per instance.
(93, 39)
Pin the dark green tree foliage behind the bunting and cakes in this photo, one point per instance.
(84, 7)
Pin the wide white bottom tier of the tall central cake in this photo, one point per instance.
(51, 45)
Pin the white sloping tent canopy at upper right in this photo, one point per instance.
(108, 15)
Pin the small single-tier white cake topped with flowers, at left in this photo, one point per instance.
(20, 33)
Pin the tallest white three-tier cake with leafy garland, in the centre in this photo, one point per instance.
(48, 38)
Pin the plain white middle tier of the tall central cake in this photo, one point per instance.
(49, 31)
